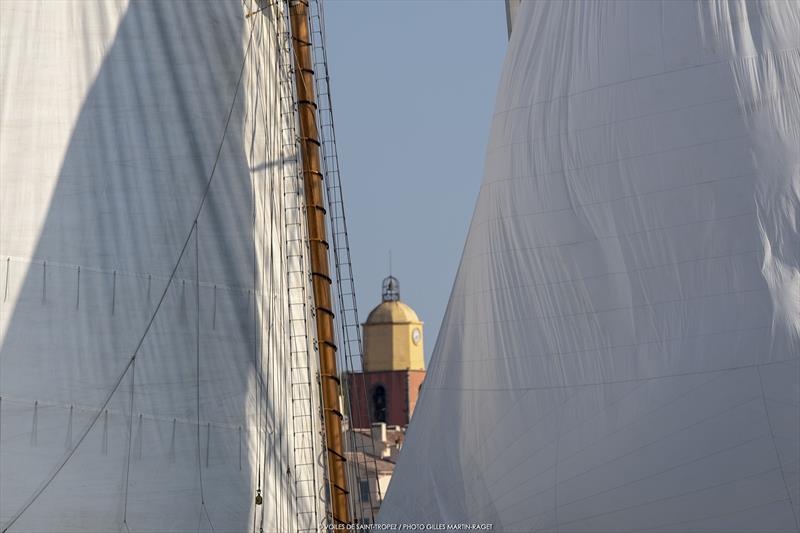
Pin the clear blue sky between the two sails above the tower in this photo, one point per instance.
(413, 85)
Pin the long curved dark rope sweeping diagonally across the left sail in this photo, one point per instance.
(38, 492)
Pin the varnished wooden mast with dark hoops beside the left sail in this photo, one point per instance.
(320, 271)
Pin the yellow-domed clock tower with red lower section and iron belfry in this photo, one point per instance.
(394, 364)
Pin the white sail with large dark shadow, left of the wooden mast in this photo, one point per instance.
(151, 243)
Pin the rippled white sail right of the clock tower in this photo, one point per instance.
(620, 350)
